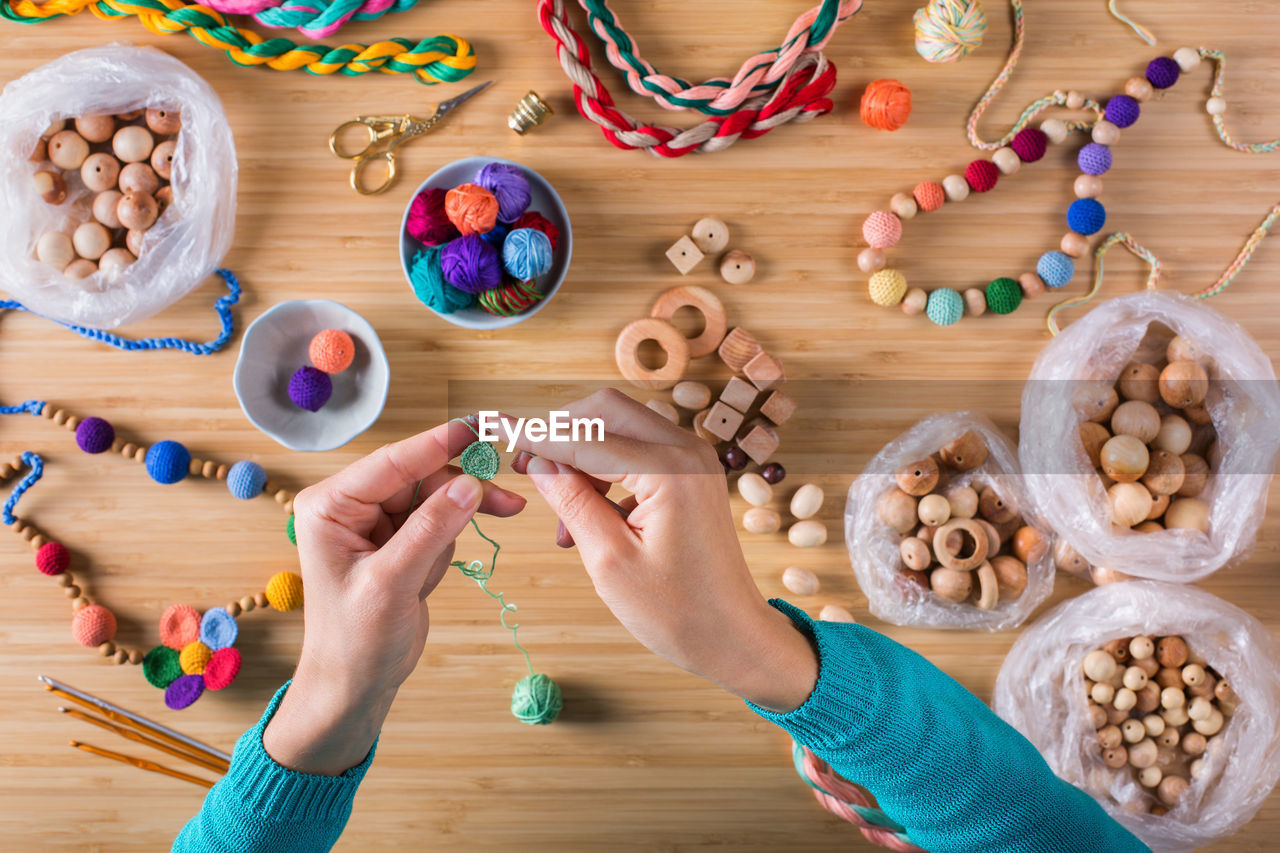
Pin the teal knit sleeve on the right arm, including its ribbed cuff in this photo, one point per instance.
(938, 760)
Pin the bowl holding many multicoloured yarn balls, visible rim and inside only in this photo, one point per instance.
(546, 202)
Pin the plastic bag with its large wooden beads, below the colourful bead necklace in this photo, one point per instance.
(1229, 441)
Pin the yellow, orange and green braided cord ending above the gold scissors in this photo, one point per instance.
(432, 61)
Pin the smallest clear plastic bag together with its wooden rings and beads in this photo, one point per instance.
(963, 463)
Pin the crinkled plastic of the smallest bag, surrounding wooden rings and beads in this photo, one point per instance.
(874, 546)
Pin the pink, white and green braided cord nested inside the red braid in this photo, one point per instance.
(758, 76)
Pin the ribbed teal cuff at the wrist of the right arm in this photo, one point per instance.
(844, 701)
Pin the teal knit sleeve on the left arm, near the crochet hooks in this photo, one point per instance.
(260, 806)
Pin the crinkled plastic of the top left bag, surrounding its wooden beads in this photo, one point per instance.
(186, 244)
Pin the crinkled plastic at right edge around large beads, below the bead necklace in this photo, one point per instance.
(1244, 403)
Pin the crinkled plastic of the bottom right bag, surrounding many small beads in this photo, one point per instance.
(1040, 692)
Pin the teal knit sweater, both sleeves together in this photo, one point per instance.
(938, 760)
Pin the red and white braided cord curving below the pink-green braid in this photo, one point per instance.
(801, 98)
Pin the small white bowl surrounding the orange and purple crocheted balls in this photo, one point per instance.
(276, 346)
